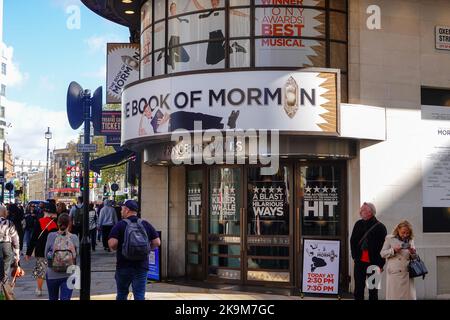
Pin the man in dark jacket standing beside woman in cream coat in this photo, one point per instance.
(366, 242)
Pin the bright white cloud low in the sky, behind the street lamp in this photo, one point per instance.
(29, 123)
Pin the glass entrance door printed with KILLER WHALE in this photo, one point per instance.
(224, 223)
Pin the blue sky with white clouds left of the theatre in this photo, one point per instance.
(47, 57)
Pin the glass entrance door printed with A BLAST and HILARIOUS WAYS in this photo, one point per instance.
(268, 234)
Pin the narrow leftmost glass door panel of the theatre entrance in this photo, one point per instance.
(194, 265)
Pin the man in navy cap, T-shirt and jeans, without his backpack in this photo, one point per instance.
(131, 271)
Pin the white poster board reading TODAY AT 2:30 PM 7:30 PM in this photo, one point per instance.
(321, 266)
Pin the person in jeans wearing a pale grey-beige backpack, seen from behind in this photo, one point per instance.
(61, 250)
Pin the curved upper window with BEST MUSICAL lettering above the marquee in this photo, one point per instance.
(182, 35)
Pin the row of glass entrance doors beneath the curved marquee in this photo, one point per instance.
(246, 228)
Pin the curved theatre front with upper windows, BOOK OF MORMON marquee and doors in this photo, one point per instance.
(240, 125)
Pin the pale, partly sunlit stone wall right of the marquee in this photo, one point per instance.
(387, 69)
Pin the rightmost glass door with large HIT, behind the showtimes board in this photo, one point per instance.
(321, 194)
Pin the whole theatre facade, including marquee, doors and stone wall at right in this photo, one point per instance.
(263, 125)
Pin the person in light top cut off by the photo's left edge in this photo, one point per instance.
(9, 245)
